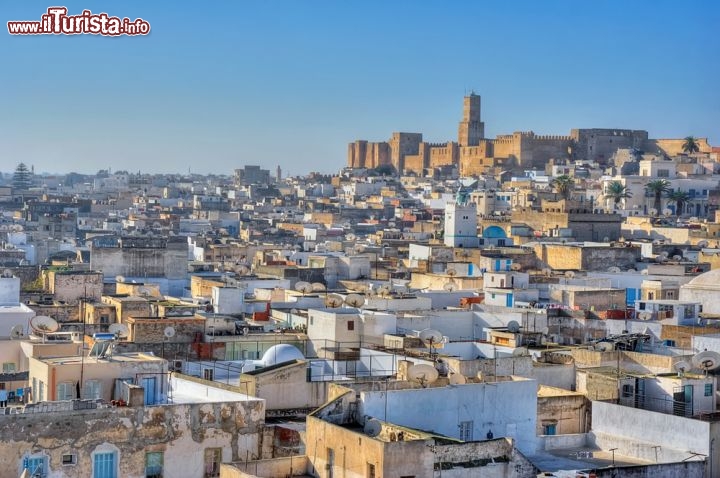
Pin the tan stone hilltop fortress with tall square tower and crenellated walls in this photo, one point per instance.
(474, 154)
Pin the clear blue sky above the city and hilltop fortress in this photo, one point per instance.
(217, 85)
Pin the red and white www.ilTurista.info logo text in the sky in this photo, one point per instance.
(57, 22)
